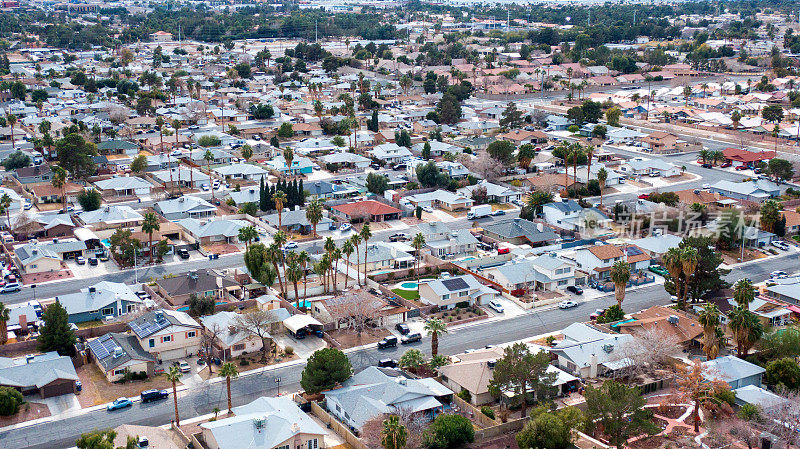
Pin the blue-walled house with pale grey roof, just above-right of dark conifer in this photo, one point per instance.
(99, 302)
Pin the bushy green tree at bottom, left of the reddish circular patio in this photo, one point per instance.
(619, 409)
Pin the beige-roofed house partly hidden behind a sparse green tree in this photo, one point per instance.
(472, 371)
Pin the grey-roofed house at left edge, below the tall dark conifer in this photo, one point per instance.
(47, 375)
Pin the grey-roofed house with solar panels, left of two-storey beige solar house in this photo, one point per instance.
(117, 354)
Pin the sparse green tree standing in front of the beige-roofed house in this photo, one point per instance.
(523, 373)
